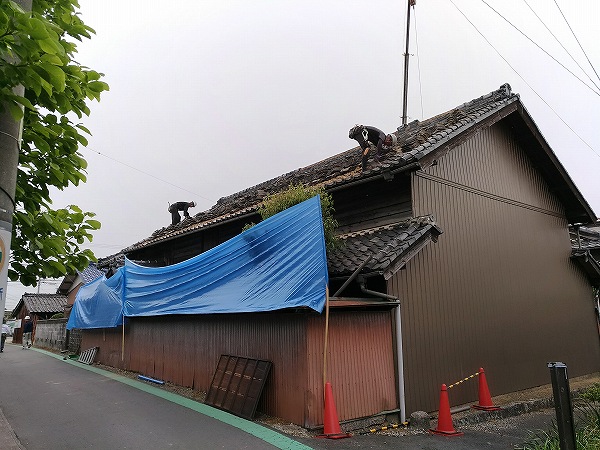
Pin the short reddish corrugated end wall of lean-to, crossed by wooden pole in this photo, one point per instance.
(360, 364)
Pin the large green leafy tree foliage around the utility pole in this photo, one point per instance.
(37, 51)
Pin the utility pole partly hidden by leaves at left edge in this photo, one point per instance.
(10, 143)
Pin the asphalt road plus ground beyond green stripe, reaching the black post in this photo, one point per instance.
(51, 403)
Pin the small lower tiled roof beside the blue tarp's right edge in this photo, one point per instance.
(384, 249)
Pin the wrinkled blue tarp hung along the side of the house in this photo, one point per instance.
(279, 263)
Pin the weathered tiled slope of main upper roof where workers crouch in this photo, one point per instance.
(415, 141)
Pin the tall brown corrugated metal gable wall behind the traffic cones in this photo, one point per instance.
(498, 290)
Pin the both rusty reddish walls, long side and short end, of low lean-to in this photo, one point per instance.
(185, 350)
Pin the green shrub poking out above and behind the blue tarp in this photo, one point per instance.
(297, 193)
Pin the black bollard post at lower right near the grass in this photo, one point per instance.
(562, 405)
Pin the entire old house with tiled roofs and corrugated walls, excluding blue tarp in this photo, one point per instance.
(457, 256)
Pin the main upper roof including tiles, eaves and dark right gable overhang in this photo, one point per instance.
(419, 145)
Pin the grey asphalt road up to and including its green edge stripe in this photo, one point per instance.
(55, 404)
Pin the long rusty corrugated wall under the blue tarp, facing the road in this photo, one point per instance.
(185, 351)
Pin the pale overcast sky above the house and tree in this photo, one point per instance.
(209, 97)
